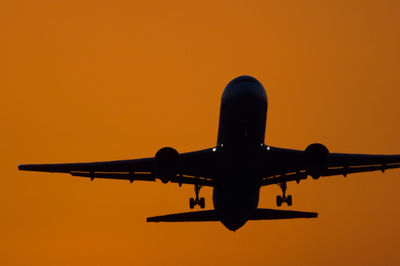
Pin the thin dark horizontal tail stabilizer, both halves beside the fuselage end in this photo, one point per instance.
(211, 215)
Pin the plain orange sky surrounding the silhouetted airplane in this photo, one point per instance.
(105, 80)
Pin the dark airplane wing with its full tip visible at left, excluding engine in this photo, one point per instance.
(195, 168)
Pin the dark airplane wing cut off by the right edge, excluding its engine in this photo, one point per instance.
(284, 165)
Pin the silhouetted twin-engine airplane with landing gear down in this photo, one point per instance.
(236, 168)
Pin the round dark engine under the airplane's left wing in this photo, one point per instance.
(166, 164)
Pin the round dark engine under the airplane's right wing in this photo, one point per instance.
(316, 156)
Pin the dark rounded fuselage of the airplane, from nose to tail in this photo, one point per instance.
(241, 136)
